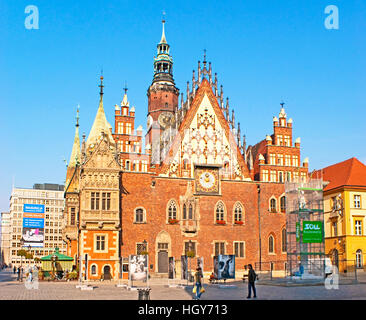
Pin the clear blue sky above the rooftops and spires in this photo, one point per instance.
(263, 52)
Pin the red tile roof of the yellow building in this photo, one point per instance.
(351, 172)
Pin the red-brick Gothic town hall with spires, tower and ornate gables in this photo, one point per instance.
(194, 187)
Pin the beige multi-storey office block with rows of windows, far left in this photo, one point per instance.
(49, 197)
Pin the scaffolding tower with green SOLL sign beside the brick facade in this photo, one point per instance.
(305, 229)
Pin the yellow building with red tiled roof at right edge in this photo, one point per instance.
(345, 213)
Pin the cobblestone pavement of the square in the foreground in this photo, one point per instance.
(10, 289)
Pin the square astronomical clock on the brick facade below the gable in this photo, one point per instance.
(207, 180)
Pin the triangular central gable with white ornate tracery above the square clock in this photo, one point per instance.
(204, 137)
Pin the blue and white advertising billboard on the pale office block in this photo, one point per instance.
(33, 225)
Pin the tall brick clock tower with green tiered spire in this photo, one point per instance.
(162, 99)
